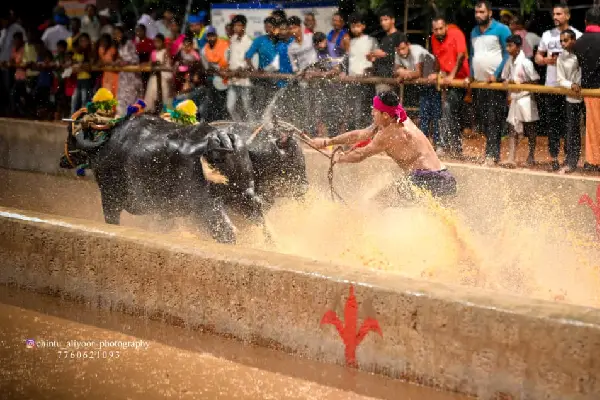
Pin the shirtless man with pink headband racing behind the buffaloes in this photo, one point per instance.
(395, 134)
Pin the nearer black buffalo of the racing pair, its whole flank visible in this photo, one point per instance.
(150, 166)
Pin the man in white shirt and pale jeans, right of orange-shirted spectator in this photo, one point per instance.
(240, 43)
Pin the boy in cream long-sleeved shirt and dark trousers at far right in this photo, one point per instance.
(568, 75)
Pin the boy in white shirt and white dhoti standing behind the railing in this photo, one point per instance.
(523, 111)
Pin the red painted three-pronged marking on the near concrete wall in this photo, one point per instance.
(347, 329)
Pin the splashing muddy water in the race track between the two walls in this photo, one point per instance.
(527, 249)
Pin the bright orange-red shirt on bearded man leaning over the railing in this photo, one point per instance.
(447, 51)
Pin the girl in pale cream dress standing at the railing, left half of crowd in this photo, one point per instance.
(160, 57)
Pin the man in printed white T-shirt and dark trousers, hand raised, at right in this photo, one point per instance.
(553, 107)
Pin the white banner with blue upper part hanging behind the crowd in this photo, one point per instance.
(222, 13)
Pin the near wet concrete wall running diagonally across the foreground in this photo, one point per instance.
(462, 340)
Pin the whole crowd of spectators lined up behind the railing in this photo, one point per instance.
(497, 51)
